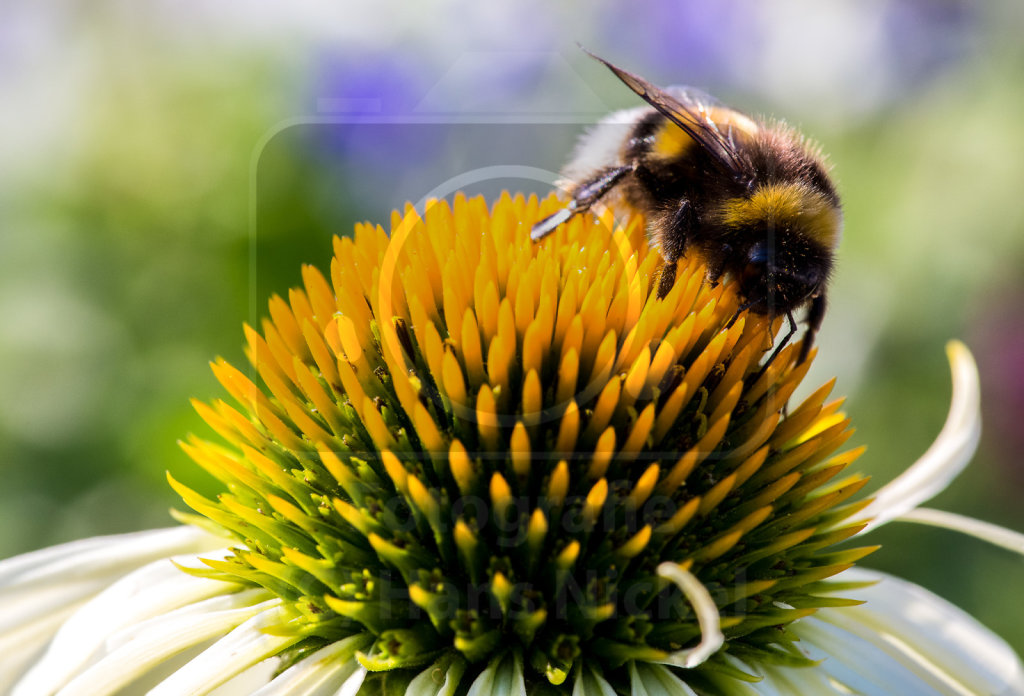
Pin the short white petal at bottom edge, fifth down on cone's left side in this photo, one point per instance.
(332, 671)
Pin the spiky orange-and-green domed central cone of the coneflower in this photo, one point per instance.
(467, 447)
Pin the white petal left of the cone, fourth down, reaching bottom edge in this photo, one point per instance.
(245, 647)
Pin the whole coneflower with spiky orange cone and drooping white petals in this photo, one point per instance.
(466, 464)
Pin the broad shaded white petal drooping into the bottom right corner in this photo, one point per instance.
(905, 640)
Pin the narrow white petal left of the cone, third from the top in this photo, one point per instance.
(139, 649)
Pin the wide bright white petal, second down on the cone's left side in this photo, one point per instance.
(152, 591)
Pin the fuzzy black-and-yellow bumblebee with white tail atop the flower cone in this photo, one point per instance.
(753, 199)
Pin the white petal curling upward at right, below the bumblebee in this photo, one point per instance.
(948, 457)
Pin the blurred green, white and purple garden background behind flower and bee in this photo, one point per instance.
(164, 167)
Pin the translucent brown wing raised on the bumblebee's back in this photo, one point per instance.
(689, 110)
